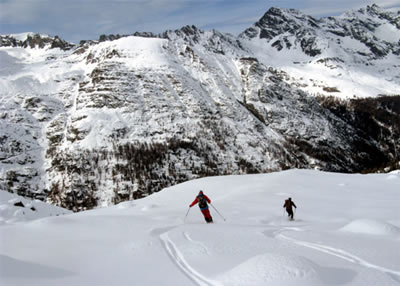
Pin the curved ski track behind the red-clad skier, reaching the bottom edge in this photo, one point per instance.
(180, 261)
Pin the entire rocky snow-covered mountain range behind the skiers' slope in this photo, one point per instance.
(123, 117)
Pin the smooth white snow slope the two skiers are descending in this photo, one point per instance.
(346, 232)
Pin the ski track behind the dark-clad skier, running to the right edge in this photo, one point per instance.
(339, 253)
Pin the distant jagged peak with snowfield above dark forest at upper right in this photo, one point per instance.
(341, 56)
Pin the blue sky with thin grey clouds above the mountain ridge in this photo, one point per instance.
(76, 20)
